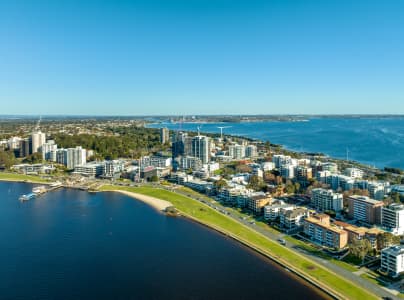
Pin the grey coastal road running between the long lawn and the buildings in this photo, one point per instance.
(373, 288)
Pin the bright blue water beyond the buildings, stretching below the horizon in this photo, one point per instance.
(378, 142)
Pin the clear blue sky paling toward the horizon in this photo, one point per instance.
(201, 57)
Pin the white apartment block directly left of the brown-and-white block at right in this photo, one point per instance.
(323, 200)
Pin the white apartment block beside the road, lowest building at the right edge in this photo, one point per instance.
(392, 260)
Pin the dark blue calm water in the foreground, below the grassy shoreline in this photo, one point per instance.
(73, 245)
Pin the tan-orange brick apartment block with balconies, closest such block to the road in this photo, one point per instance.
(319, 230)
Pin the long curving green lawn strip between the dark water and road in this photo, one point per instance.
(211, 217)
